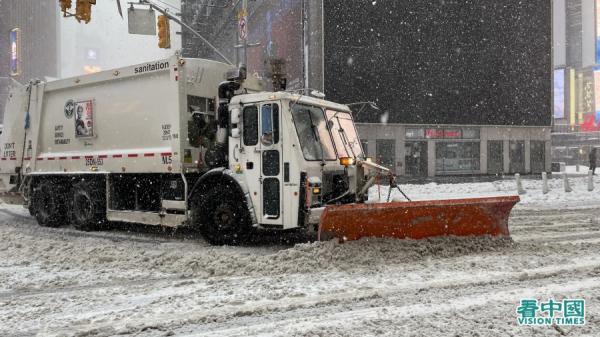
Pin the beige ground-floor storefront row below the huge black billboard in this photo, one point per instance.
(434, 150)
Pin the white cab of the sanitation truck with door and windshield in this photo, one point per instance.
(293, 152)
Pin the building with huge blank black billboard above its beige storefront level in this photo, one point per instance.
(460, 90)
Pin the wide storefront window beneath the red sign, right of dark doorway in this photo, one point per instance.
(457, 157)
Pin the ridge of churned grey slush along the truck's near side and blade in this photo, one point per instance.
(57, 253)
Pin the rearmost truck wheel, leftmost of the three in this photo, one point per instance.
(48, 204)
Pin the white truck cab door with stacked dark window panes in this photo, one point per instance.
(264, 160)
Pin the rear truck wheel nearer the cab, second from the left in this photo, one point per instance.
(89, 206)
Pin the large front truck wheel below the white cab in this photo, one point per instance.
(222, 217)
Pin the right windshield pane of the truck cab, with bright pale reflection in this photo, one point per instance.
(344, 134)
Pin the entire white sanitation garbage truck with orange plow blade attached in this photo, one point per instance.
(192, 142)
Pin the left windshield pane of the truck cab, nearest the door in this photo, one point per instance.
(312, 132)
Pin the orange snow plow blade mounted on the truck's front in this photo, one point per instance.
(418, 219)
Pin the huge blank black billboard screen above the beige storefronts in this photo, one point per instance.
(442, 62)
